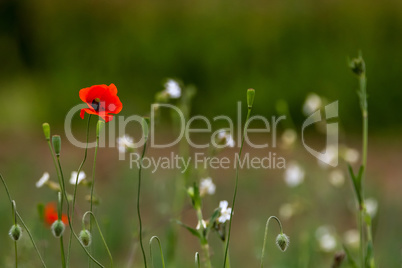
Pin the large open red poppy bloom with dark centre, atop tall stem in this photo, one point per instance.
(102, 100)
